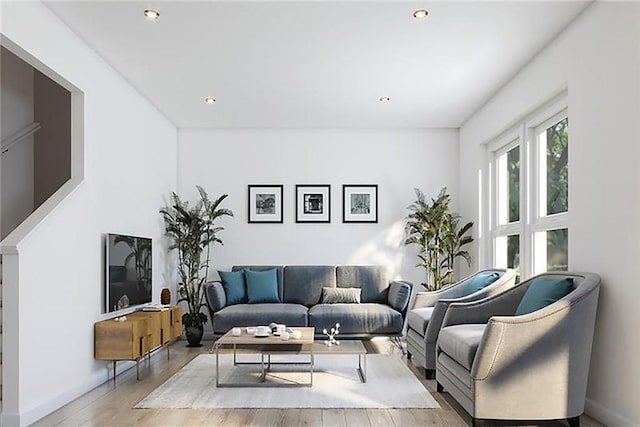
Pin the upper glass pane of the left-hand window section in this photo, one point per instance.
(508, 177)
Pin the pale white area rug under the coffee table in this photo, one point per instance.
(336, 384)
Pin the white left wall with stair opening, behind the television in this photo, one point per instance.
(130, 164)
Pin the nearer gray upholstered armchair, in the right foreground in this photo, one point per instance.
(534, 366)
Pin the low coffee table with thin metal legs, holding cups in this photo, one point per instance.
(274, 345)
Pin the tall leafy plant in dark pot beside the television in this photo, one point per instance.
(193, 232)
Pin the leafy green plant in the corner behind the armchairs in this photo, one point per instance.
(436, 230)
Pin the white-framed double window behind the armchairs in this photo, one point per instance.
(529, 191)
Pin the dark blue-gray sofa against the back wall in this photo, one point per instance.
(381, 312)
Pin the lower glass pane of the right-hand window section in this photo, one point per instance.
(551, 250)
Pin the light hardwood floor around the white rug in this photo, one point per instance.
(109, 405)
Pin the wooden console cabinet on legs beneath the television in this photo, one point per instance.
(136, 337)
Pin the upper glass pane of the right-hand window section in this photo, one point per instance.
(554, 155)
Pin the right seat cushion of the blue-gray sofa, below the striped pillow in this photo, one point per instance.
(356, 318)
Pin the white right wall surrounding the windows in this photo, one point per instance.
(598, 58)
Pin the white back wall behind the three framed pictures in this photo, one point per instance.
(226, 161)
